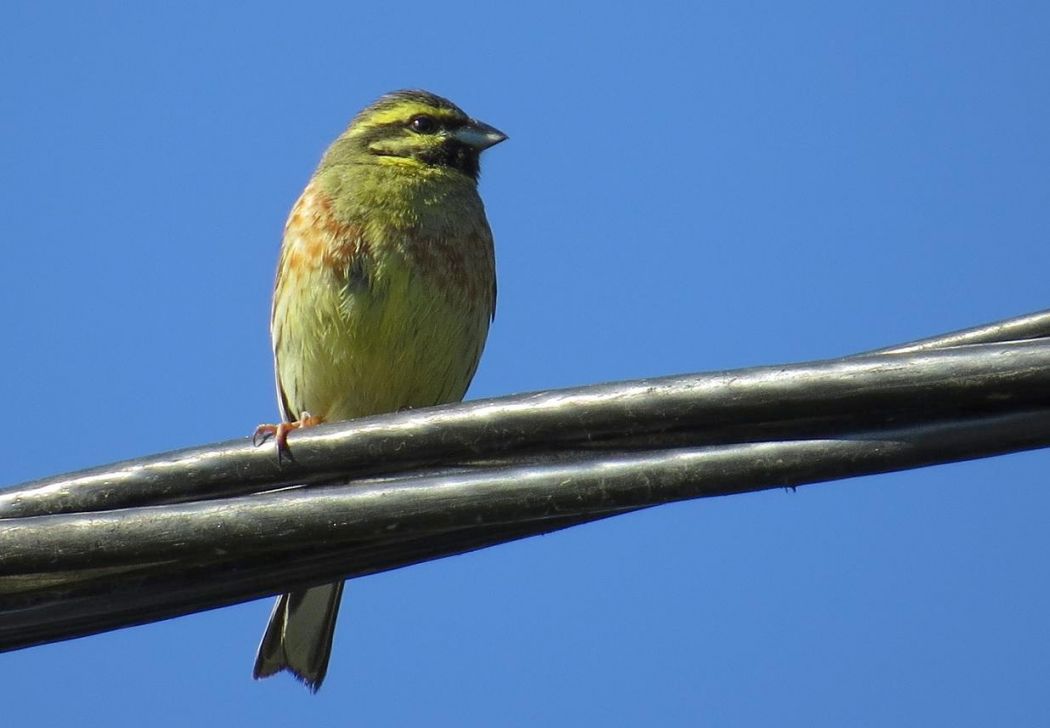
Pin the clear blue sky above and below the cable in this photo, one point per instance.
(686, 188)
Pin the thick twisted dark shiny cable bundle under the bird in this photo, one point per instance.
(182, 532)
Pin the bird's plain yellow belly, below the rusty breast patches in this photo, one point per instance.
(347, 348)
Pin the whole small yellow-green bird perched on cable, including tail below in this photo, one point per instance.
(385, 294)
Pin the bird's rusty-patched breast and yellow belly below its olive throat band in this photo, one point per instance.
(372, 318)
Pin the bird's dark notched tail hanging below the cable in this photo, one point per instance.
(299, 638)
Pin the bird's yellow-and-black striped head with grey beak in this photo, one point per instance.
(417, 130)
